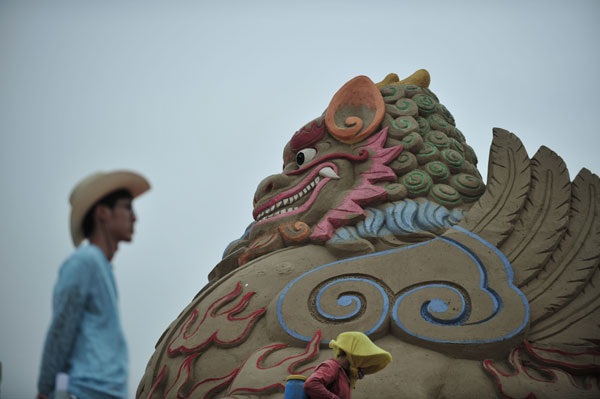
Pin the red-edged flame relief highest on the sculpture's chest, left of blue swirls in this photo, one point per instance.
(212, 313)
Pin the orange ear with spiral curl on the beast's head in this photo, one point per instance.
(355, 111)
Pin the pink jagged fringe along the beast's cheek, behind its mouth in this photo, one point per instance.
(366, 192)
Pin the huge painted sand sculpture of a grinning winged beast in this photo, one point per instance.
(381, 223)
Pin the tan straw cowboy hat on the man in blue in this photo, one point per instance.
(95, 186)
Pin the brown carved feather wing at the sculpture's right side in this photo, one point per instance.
(549, 229)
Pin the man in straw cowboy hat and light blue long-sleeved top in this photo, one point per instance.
(85, 339)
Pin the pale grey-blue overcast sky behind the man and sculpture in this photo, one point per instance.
(201, 98)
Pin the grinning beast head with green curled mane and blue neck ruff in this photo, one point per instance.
(384, 165)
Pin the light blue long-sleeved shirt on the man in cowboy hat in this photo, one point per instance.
(85, 338)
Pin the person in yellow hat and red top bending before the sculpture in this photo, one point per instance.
(355, 356)
